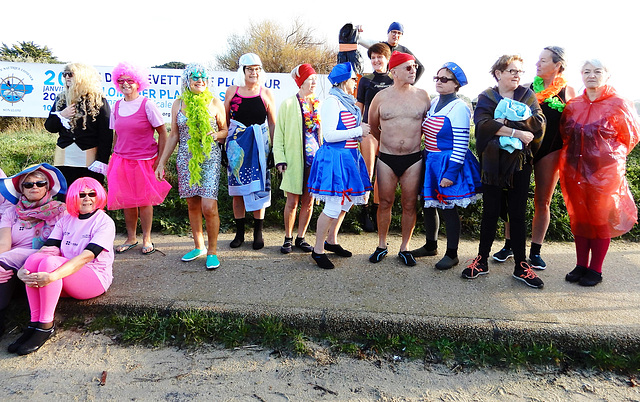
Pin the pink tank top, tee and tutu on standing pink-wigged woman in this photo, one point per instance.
(130, 176)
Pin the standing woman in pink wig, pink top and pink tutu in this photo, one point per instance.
(131, 173)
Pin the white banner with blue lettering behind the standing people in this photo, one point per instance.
(29, 89)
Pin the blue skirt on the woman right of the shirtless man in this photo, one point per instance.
(466, 186)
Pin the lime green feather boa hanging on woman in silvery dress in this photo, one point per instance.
(199, 123)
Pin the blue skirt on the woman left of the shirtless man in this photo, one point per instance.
(339, 172)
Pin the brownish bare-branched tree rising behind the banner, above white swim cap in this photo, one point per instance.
(279, 49)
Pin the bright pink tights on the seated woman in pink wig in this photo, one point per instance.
(83, 284)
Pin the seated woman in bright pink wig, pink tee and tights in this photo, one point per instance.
(75, 261)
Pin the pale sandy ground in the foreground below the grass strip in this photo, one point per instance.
(70, 367)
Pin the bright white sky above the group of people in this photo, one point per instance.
(471, 33)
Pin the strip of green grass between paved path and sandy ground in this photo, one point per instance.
(191, 328)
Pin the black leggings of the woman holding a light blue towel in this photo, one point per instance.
(516, 210)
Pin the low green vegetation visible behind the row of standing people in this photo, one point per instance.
(24, 142)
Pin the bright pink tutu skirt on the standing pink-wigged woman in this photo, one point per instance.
(132, 183)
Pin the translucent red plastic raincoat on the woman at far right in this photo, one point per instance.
(597, 138)
